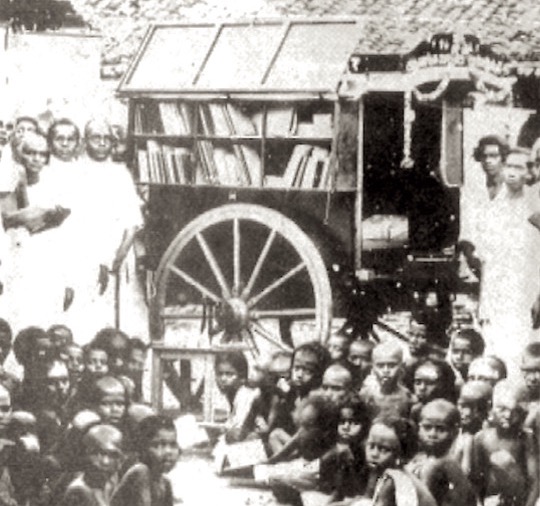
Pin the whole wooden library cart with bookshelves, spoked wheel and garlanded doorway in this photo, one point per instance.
(291, 180)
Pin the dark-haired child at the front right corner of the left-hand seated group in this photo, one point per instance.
(145, 482)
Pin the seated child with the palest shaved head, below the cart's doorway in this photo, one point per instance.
(386, 395)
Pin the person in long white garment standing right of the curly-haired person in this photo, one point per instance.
(508, 246)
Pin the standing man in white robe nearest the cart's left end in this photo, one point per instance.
(108, 216)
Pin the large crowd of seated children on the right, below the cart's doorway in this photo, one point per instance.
(370, 423)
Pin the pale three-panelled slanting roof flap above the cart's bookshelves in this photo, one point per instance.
(265, 58)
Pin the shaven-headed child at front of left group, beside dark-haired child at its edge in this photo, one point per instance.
(103, 453)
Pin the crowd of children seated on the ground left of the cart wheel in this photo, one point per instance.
(73, 430)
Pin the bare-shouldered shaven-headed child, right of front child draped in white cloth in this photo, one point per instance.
(433, 463)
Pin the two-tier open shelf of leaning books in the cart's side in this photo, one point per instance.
(257, 145)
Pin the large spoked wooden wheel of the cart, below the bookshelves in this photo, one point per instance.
(242, 267)
